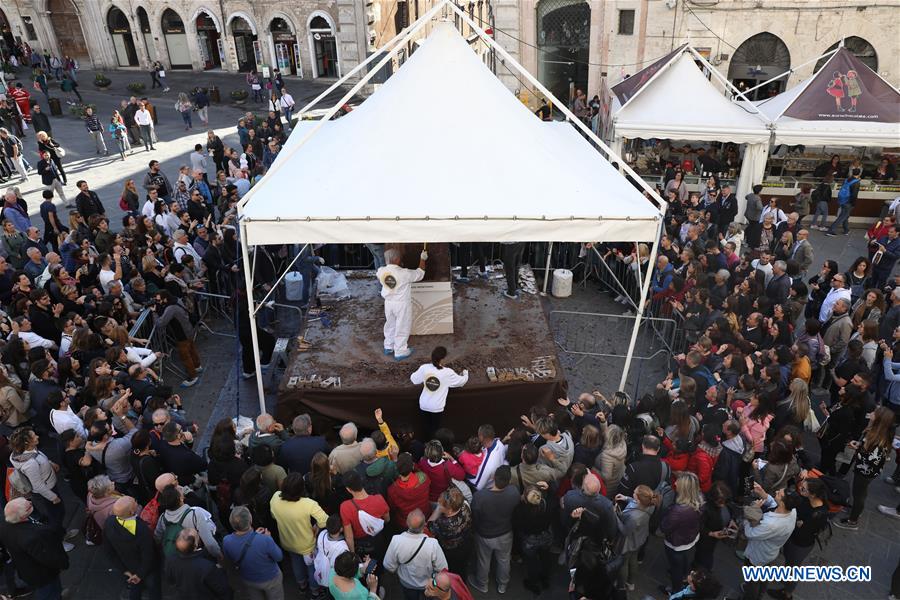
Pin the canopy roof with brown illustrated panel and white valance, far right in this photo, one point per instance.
(809, 114)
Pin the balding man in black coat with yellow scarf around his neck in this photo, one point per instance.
(129, 544)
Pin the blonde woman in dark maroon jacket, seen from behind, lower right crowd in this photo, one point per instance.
(681, 527)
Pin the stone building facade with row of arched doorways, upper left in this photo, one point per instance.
(305, 38)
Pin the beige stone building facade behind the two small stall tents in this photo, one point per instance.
(575, 43)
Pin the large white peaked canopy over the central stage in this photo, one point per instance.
(444, 141)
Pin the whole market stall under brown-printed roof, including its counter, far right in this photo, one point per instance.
(847, 111)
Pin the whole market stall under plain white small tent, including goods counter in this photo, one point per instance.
(669, 111)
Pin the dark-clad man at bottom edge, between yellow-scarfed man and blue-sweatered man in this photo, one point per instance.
(193, 572)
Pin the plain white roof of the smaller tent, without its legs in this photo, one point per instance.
(679, 102)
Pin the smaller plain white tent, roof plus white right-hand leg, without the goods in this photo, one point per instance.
(673, 99)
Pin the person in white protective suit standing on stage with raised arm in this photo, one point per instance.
(397, 294)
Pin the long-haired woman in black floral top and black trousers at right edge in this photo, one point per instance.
(871, 453)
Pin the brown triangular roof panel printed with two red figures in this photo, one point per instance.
(846, 89)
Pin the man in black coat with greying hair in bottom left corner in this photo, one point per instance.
(36, 549)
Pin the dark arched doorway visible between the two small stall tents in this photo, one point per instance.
(760, 58)
